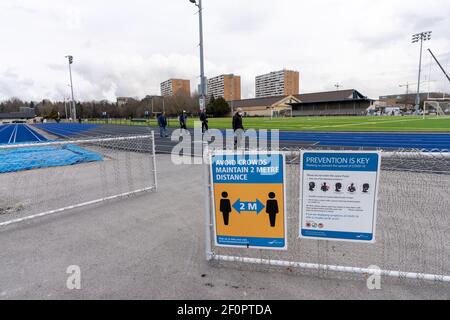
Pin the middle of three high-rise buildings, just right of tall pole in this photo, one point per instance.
(227, 86)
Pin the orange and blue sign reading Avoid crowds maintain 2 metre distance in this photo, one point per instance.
(248, 192)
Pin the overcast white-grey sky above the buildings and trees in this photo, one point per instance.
(126, 48)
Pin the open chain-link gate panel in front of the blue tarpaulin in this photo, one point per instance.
(115, 167)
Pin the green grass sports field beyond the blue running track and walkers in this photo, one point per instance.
(373, 123)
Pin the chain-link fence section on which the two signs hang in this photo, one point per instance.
(413, 224)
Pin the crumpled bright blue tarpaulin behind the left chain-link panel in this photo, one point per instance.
(18, 159)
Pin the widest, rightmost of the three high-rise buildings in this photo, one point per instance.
(278, 83)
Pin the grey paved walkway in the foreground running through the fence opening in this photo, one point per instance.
(152, 247)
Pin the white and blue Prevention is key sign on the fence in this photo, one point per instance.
(338, 195)
